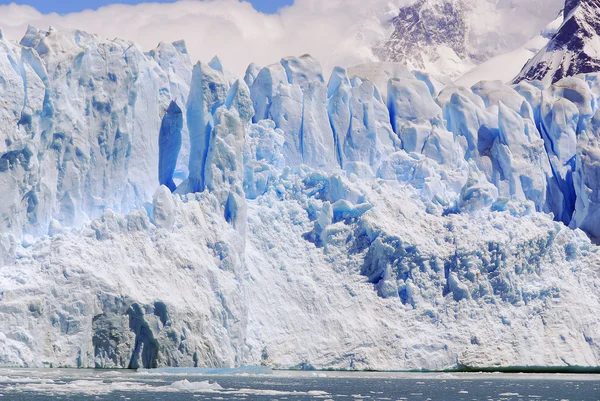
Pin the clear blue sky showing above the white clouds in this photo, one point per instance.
(69, 6)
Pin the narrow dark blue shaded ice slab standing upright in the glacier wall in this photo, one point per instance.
(169, 144)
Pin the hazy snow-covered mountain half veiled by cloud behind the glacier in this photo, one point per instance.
(450, 37)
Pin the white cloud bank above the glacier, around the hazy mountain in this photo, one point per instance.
(337, 32)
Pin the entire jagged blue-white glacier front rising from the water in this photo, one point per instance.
(159, 213)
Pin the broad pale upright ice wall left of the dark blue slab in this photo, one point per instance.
(85, 137)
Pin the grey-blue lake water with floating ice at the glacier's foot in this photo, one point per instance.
(171, 385)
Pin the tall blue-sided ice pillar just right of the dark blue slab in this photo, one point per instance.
(218, 114)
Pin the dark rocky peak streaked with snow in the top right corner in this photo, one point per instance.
(574, 49)
